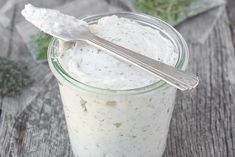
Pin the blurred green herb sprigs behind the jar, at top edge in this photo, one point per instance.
(168, 10)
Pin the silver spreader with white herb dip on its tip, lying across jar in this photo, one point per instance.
(68, 28)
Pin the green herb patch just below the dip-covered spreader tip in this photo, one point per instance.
(39, 44)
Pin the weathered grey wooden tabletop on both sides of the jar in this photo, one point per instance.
(203, 122)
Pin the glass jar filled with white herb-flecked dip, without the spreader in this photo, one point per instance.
(112, 108)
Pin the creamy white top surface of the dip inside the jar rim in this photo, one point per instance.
(99, 69)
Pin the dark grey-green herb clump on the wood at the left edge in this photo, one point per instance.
(13, 78)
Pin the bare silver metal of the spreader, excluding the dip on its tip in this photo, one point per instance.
(169, 74)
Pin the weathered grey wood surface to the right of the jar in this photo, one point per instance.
(203, 122)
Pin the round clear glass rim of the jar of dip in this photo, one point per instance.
(64, 78)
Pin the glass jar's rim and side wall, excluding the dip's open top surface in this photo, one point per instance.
(119, 123)
